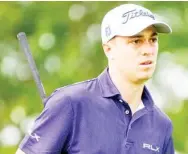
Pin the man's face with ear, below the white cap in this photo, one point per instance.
(134, 57)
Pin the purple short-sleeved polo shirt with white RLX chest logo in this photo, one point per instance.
(90, 117)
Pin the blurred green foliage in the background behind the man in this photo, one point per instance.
(77, 56)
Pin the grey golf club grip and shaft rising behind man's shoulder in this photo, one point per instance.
(25, 47)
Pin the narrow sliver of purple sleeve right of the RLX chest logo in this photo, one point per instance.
(169, 146)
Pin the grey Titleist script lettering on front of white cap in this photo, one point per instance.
(134, 14)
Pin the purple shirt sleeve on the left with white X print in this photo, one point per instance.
(52, 129)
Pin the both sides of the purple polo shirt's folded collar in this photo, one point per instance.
(108, 89)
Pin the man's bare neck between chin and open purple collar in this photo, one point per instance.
(131, 92)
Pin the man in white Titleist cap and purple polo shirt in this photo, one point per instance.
(113, 113)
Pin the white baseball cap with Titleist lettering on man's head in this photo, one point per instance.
(128, 20)
